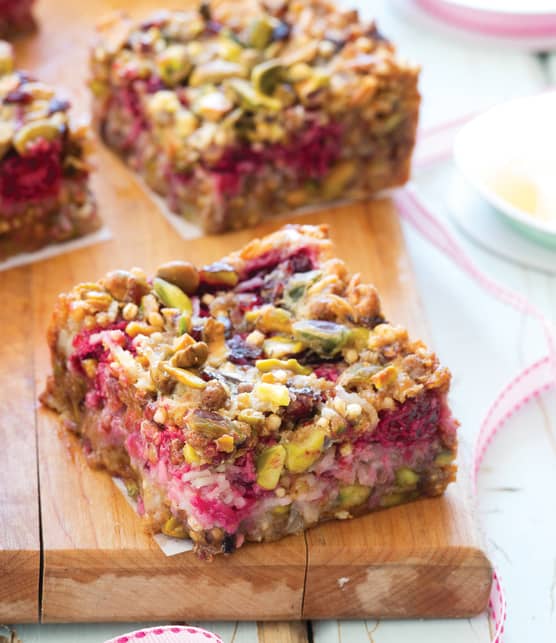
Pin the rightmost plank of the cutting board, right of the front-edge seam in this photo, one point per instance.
(413, 560)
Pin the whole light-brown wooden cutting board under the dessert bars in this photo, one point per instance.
(88, 558)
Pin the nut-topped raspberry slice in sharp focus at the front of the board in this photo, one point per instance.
(251, 398)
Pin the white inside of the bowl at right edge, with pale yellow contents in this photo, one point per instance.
(508, 154)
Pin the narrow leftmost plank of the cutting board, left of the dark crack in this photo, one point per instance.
(19, 500)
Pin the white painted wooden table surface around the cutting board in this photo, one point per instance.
(484, 343)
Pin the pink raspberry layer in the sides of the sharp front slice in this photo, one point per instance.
(409, 435)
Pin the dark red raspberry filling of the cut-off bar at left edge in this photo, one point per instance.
(32, 177)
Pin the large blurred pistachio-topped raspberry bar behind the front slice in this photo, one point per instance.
(232, 113)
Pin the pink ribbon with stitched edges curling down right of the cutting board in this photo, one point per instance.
(527, 385)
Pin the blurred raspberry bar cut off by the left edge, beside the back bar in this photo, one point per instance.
(44, 195)
